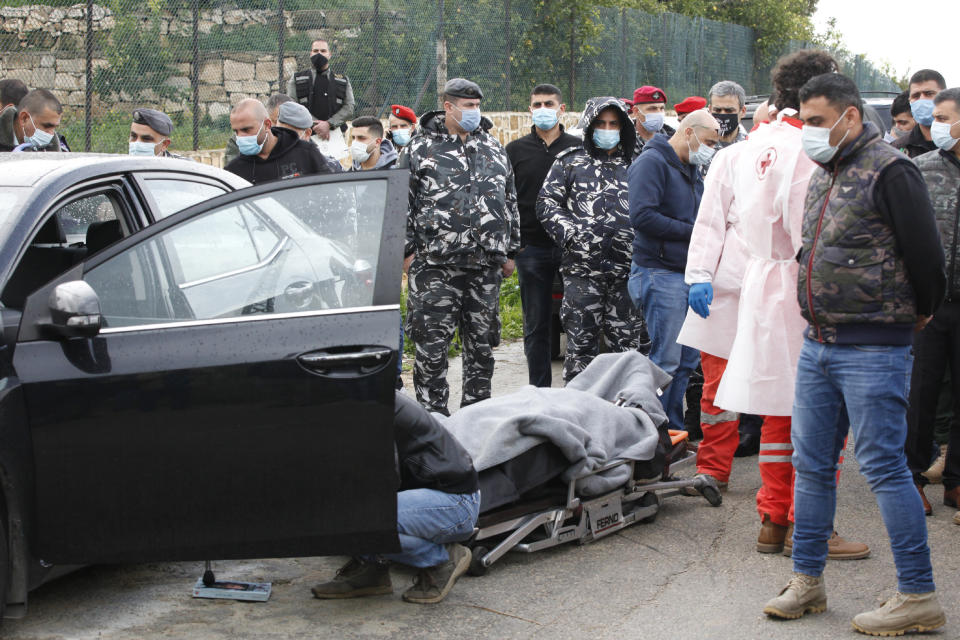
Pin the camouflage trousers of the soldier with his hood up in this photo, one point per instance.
(592, 308)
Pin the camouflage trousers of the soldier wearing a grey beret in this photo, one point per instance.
(441, 299)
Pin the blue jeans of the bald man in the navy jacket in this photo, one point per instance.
(662, 296)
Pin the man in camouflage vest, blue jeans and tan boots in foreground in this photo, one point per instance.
(871, 271)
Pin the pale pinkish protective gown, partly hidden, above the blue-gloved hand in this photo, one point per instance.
(717, 255)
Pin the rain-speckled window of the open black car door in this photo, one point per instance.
(293, 250)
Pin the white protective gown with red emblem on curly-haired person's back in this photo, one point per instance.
(770, 182)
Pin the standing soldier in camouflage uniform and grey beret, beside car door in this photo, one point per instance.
(463, 231)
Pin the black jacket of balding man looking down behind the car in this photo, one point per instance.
(290, 158)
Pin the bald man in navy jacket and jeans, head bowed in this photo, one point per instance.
(665, 188)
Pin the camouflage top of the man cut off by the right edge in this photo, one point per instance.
(941, 172)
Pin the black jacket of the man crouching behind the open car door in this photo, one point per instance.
(429, 457)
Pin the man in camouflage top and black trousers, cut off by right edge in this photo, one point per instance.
(938, 345)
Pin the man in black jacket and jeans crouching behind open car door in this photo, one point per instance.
(437, 505)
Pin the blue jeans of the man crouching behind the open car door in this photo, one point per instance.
(427, 519)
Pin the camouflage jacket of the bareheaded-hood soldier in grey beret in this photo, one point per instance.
(463, 203)
